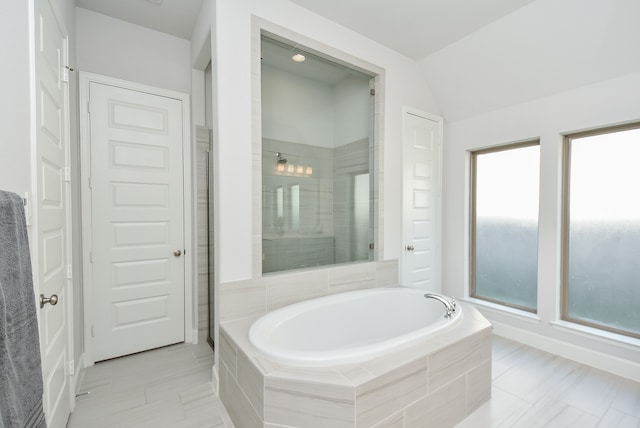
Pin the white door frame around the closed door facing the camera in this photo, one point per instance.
(85, 80)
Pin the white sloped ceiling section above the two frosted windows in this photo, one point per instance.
(544, 48)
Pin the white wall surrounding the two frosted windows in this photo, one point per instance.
(605, 103)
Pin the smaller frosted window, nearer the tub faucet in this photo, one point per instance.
(504, 225)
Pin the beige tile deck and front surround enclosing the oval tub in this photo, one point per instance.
(433, 382)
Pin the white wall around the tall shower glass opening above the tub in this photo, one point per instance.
(232, 56)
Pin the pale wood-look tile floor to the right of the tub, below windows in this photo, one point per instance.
(532, 388)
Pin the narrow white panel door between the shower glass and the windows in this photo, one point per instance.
(422, 158)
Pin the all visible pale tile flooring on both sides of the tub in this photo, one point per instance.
(170, 387)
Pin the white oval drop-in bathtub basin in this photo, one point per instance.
(348, 327)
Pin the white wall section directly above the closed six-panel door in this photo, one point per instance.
(116, 48)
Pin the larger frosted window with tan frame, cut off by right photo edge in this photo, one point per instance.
(601, 245)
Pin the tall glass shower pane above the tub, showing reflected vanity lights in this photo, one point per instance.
(318, 158)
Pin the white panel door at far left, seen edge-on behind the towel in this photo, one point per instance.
(51, 213)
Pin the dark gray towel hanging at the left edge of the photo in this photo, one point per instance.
(20, 367)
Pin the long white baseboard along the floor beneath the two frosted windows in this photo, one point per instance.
(618, 366)
